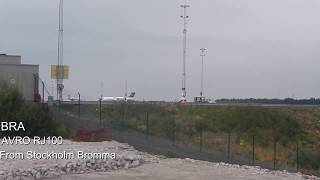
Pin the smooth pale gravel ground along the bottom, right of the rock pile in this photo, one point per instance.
(187, 169)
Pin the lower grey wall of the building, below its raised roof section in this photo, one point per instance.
(22, 77)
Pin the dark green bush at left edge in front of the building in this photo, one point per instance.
(35, 119)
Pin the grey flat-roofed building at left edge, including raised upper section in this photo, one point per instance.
(25, 77)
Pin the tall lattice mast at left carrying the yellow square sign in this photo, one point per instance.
(60, 70)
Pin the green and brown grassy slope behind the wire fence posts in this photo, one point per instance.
(283, 125)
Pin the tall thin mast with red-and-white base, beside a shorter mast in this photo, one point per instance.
(185, 17)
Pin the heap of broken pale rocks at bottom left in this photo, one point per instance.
(25, 169)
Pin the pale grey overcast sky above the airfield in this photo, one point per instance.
(256, 48)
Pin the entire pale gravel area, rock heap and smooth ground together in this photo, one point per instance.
(128, 164)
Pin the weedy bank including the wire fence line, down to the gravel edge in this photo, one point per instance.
(265, 137)
